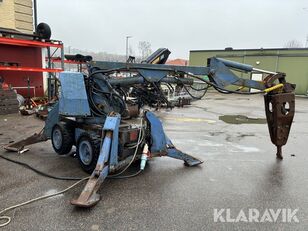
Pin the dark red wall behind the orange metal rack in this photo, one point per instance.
(25, 57)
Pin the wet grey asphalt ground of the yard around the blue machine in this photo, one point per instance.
(239, 172)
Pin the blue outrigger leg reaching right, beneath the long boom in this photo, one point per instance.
(161, 145)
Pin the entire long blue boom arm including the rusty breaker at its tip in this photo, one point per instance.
(278, 94)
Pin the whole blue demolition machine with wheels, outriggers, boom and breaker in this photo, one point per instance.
(93, 110)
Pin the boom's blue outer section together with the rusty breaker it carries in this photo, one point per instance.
(279, 95)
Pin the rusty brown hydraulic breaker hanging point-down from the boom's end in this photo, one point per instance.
(279, 109)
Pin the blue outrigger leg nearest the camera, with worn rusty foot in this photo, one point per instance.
(89, 195)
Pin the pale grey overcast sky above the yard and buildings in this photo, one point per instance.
(180, 25)
